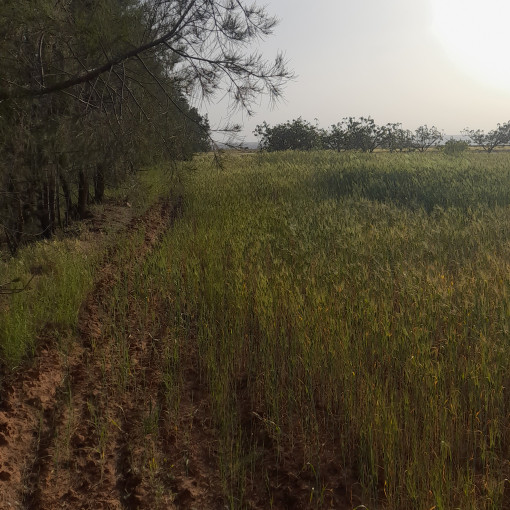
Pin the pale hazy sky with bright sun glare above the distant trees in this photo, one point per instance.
(435, 62)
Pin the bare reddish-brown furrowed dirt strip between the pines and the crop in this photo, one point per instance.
(69, 438)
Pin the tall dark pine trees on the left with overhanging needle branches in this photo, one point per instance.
(91, 90)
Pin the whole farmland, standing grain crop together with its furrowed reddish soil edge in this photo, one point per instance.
(293, 330)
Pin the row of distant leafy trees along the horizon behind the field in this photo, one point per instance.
(363, 134)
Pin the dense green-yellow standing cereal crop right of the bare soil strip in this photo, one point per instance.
(358, 308)
